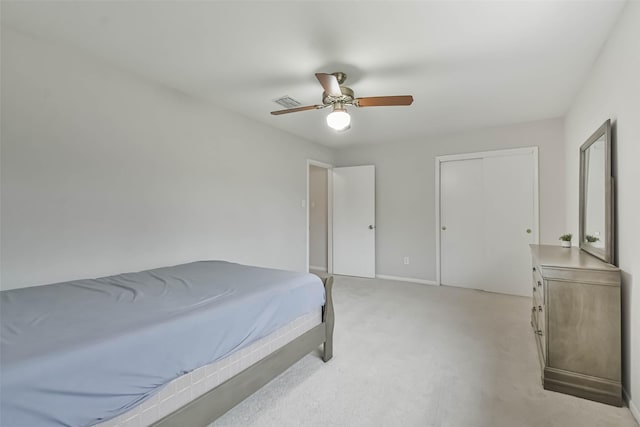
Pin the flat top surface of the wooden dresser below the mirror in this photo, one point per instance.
(557, 256)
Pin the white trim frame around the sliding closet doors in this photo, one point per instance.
(480, 155)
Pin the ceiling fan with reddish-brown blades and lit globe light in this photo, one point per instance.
(339, 97)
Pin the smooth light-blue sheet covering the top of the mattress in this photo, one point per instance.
(82, 352)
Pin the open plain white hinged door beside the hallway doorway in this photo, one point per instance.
(354, 238)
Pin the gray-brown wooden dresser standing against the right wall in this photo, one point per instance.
(576, 320)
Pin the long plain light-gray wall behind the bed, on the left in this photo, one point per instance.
(103, 172)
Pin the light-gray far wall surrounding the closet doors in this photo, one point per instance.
(405, 189)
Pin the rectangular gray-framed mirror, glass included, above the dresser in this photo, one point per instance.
(596, 198)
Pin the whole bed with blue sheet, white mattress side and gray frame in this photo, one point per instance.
(172, 346)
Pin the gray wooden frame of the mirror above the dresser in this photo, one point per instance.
(605, 254)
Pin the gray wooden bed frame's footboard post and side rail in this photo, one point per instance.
(205, 409)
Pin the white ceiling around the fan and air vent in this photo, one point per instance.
(468, 64)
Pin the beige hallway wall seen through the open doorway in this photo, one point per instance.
(318, 217)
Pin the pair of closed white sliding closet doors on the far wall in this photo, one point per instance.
(487, 218)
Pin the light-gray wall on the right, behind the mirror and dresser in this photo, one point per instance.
(612, 90)
